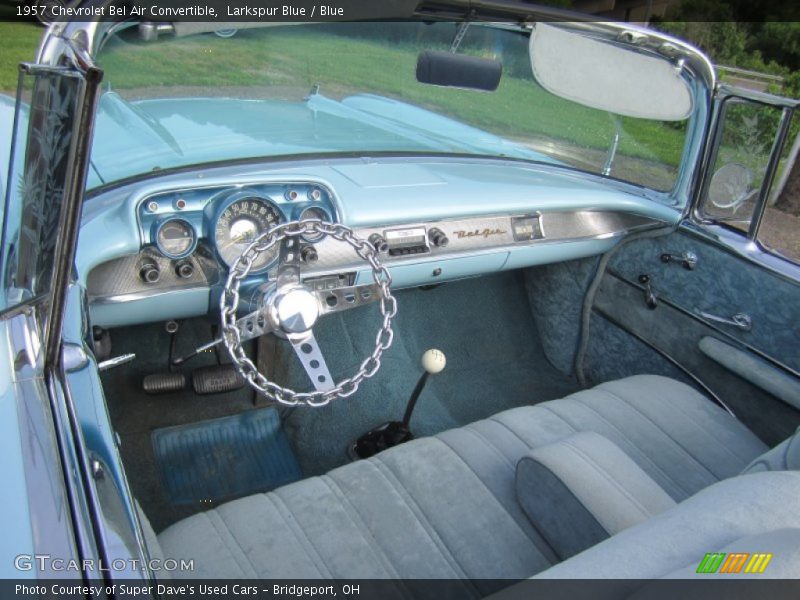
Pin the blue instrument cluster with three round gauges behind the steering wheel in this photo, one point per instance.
(221, 222)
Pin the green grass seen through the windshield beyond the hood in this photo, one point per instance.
(299, 57)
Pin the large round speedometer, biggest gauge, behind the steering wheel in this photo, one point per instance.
(239, 224)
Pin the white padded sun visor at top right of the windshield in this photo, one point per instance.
(605, 76)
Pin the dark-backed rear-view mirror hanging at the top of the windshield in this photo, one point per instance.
(458, 70)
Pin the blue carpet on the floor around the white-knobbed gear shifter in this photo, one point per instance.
(494, 355)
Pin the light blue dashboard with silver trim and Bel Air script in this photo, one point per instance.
(430, 221)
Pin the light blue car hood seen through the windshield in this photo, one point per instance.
(132, 138)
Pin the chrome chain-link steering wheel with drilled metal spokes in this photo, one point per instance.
(289, 309)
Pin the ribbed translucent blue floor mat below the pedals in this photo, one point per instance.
(224, 458)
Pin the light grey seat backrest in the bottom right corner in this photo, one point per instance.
(755, 512)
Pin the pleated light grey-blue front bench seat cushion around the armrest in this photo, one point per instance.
(446, 506)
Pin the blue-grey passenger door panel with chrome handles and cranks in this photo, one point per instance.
(722, 284)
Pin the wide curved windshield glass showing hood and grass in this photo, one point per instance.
(351, 88)
